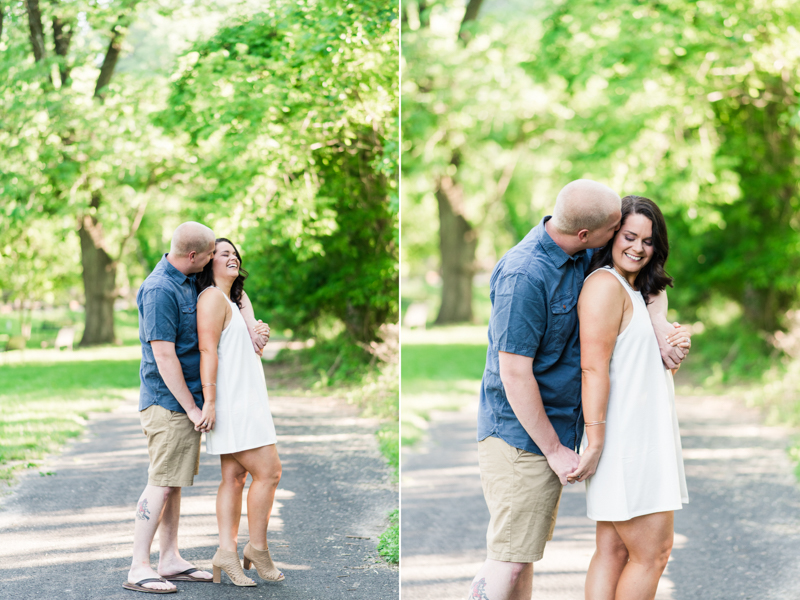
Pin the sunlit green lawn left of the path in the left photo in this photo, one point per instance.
(44, 404)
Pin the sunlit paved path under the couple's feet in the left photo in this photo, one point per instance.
(69, 535)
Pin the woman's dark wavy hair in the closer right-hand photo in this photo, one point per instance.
(652, 279)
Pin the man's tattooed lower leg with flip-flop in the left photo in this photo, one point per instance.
(148, 516)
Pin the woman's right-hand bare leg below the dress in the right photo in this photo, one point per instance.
(649, 542)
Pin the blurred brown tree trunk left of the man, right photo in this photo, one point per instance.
(457, 243)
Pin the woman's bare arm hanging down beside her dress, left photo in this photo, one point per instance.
(212, 309)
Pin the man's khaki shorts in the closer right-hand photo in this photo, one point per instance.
(522, 493)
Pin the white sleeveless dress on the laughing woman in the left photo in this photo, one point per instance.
(243, 420)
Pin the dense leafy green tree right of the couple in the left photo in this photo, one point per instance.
(291, 115)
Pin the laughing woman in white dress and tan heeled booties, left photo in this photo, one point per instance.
(239, 428)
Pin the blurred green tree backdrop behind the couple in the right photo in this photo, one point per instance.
(693, 104)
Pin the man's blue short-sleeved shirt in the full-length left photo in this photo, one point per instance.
(167, 304)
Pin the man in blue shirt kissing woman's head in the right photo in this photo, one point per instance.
(529, 416)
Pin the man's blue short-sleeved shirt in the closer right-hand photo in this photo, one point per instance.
(534, 293)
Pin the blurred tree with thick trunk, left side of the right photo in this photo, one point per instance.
(471, 116)
